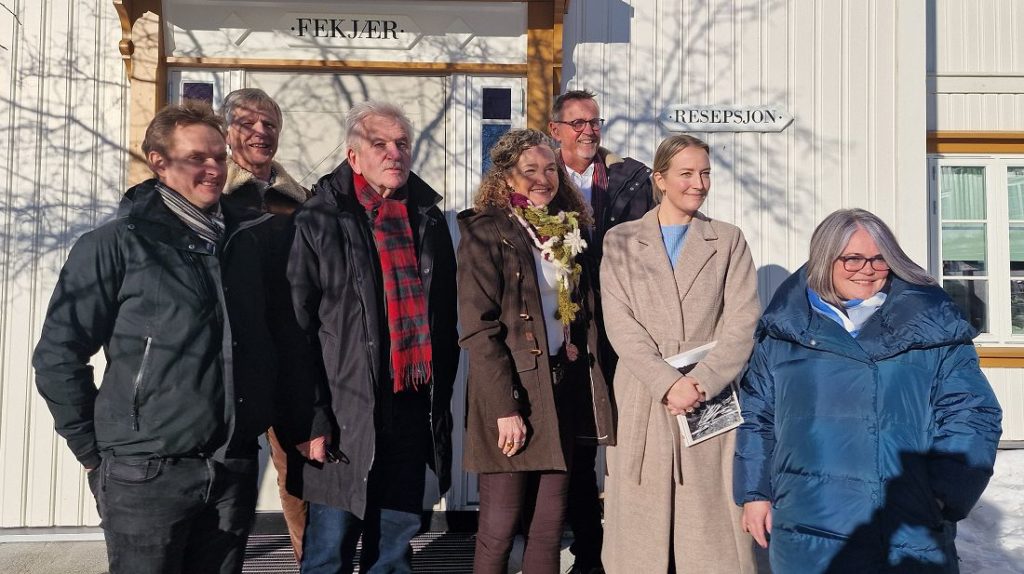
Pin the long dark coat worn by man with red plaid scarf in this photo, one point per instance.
(338, 295)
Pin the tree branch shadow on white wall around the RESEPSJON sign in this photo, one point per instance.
(756, 164)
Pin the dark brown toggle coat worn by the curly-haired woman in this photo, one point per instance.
(509, 369)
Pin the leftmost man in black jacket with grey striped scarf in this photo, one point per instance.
(175, 291)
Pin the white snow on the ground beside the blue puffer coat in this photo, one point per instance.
(991, 541)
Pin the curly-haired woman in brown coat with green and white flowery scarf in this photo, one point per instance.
(535, 388)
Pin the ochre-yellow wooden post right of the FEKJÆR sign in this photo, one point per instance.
(541, 63)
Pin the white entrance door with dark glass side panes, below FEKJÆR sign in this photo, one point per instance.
(456, 119)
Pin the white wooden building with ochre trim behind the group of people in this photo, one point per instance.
(912, 109)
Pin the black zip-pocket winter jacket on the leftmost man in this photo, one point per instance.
(186, 330)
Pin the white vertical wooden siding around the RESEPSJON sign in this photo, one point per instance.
(852, 74)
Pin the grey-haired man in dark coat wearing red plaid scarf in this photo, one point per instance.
(373, 284)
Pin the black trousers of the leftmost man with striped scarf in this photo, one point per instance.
(176, 516)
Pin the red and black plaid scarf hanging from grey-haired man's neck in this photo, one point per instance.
(407, 308)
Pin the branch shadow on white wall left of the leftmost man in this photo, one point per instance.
(62, 159)
